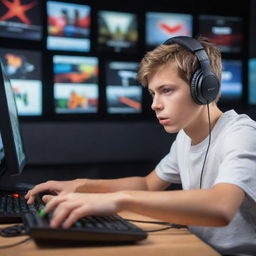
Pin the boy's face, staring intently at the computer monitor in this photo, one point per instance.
(172, 100)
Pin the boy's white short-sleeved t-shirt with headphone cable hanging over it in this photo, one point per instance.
(231, 159)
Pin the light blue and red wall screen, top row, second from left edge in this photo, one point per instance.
(68, 26)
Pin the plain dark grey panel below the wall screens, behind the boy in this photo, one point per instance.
(90, 142)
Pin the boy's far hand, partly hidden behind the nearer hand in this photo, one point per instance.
(53, 187)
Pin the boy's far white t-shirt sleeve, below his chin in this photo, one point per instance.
(167, 169)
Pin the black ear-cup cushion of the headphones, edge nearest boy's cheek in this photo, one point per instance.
(195, 87)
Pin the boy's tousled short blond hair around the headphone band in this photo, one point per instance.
(185, 61)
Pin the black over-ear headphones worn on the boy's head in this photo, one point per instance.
(204, 84)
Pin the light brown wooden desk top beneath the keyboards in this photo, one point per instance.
(173, 242)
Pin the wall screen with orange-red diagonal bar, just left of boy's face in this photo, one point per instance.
(123, 91)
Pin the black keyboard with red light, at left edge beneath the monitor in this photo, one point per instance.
(13, 205)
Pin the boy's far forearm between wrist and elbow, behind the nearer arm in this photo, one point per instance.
(111, 185)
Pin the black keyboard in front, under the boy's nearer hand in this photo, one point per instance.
(87, 229)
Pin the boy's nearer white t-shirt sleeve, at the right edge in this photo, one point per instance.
(238, 165)
